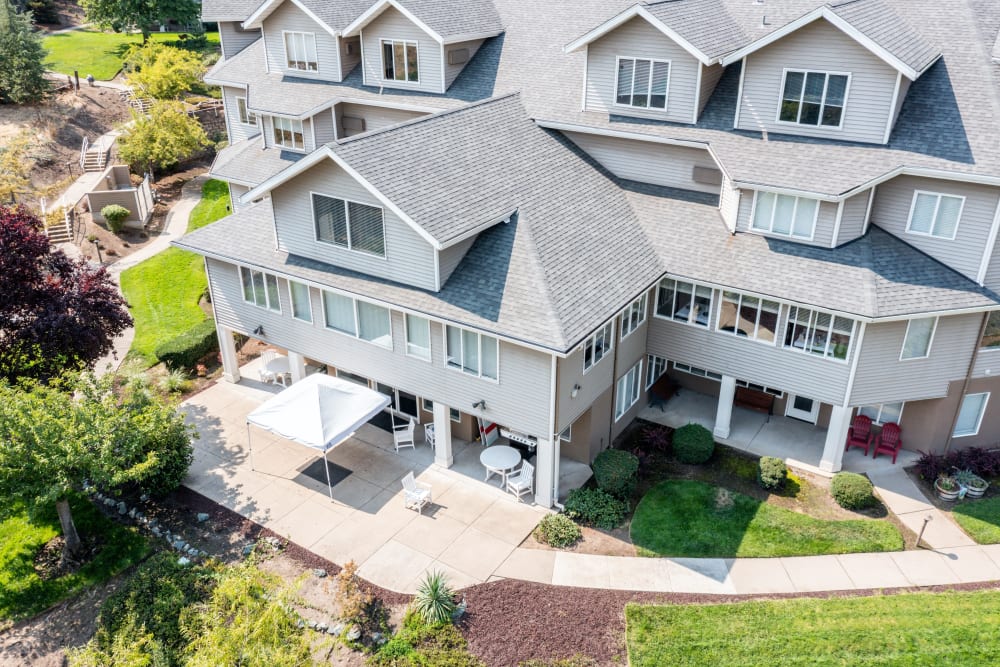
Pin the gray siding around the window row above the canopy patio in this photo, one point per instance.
(520, 399)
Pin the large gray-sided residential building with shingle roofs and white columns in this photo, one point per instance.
(528, 212)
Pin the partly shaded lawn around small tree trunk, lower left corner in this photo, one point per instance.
(22, 592)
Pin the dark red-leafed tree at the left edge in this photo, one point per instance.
(55, 313)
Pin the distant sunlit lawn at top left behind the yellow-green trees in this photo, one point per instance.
(100, 53)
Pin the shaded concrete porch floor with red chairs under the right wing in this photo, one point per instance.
(799, 443)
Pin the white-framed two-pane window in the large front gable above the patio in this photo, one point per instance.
(349, 224)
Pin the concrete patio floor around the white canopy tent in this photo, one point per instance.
(470, 528)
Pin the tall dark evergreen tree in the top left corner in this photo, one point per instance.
(22, 75)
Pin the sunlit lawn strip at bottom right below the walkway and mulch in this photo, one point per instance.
(914, 629)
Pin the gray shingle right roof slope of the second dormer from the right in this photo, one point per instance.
(706, 24)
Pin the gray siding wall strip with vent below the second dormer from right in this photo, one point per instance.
(646, 162)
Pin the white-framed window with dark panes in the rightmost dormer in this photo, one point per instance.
(813, 98)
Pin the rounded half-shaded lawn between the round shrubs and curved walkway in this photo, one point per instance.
(685, 518)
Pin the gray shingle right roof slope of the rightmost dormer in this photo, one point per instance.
(886, 28)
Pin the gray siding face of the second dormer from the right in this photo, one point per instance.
(638, 39)
